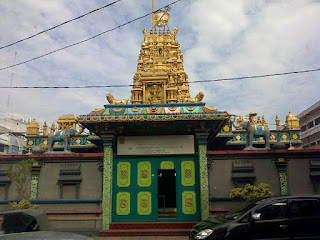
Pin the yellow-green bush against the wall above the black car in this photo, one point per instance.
(251, 192)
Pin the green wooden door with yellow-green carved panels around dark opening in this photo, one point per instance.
(134, 193)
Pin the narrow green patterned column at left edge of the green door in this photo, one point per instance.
(107, 183)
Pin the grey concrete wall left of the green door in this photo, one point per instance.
(90, 194)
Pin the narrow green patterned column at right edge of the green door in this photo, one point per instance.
(203, 174)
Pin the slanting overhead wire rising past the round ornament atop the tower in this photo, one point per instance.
(88, 39)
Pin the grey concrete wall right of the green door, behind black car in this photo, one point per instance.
(265, 169)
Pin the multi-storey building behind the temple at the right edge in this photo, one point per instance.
(310, 126)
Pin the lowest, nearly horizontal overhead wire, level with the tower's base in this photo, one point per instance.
(199, 81)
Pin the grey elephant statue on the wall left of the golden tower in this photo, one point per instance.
(61, 136)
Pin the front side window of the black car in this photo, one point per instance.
(276, 210)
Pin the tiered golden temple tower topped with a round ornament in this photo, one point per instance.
(160, 76)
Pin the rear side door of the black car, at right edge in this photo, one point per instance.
(304, 215)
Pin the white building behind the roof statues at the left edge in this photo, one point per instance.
(12, 132)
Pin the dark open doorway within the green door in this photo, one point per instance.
(167, 202)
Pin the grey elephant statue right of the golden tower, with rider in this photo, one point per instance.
(252, 130)
